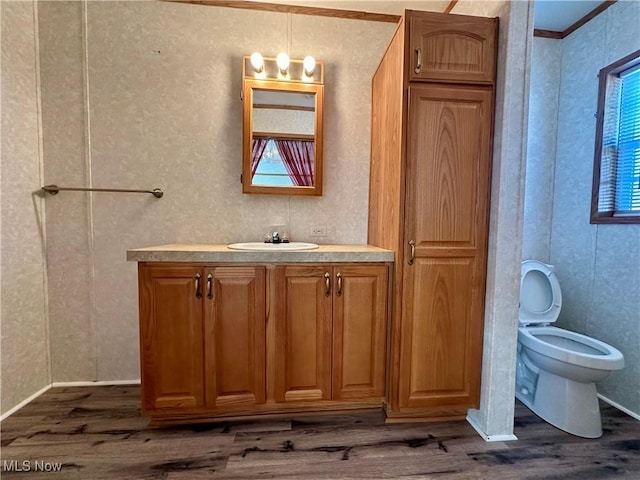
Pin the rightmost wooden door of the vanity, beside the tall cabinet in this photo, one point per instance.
(359, 332)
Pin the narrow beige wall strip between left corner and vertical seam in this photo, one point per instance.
(69, 257)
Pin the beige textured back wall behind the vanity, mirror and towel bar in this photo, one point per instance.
(147, 94)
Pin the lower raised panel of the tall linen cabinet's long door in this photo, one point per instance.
(440, 349)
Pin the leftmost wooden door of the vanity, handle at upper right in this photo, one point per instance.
(171, 338)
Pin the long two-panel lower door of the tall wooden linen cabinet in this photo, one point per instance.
(446, 229)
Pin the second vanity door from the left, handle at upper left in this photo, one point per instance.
(235, 336)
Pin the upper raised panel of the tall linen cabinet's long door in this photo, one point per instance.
(449, 142)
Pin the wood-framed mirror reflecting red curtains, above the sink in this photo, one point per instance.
(282, 134)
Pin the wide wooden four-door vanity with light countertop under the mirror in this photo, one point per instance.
(227, 333)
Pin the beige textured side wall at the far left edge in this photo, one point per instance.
(25, 364)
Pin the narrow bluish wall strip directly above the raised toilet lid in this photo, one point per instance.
(541, 148)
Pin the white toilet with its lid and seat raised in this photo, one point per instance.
(557, 369)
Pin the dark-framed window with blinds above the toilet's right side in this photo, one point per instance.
(616, 175)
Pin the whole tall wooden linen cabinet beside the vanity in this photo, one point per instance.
(431, 146)
